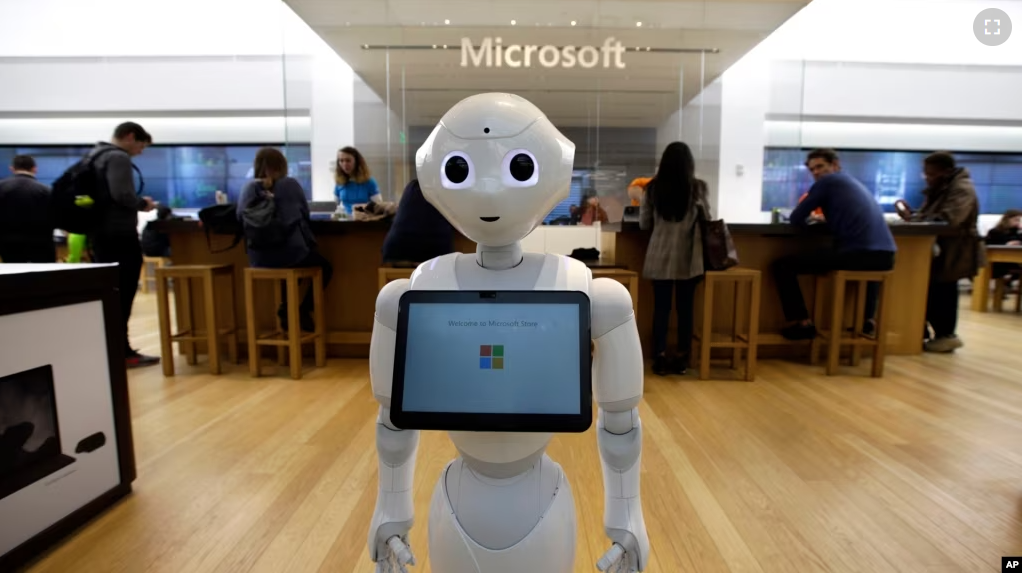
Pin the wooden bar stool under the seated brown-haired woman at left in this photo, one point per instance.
(293, 338)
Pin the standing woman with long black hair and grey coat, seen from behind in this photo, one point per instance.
(672, 208)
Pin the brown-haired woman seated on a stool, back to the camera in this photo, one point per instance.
(293, 243)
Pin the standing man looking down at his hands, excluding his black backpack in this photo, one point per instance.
(117, 240)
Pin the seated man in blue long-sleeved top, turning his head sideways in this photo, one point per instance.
(863, 241)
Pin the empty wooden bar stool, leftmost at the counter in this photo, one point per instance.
(190, 335)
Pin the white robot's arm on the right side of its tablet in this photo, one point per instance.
(618, 379)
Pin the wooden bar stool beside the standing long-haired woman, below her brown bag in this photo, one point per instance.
(708, 340)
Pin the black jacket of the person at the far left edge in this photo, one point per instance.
(25, 211)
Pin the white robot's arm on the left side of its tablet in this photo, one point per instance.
(395, 449)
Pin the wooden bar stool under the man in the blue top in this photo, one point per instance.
(836, 337)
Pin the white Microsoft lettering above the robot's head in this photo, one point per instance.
(492, 54)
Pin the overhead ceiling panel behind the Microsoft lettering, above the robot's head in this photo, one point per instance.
(643, 95)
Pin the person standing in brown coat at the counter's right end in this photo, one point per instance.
(950, 198)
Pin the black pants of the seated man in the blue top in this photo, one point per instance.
(788, 270)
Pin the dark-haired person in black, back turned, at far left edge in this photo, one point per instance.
(26, 224)
